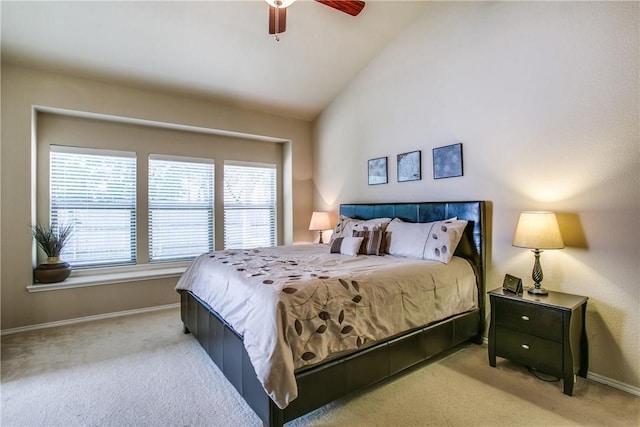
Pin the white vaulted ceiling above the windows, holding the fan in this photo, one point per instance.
(210, 49)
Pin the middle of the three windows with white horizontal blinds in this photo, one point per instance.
(181, 216)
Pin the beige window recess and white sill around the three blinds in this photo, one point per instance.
(91, 130)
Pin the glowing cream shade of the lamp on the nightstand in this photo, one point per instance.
(538, 230)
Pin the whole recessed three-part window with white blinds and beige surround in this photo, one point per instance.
(144, 200)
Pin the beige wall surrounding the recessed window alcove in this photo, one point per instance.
(22, 89)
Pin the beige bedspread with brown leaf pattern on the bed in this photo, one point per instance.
(299, 305)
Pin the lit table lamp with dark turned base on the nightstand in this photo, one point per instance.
(536, 231)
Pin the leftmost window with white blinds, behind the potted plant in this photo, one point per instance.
(95, 192)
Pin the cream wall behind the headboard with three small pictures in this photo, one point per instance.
(544, 97)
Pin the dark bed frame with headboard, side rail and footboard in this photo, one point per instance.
(328, 381)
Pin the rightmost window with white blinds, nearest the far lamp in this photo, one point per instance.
(249, 206)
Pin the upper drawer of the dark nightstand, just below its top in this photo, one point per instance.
(528, 318)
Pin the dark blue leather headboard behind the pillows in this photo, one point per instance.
(472, 244)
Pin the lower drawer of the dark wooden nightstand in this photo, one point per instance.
(542, 354)
